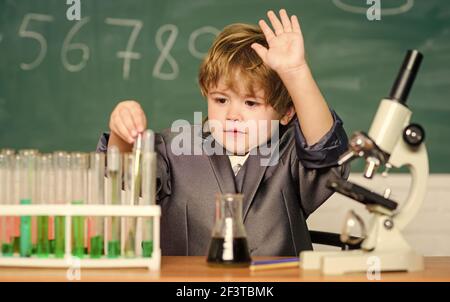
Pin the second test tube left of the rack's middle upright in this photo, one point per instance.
(43, 197)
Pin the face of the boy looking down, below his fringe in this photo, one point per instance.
(237, 120)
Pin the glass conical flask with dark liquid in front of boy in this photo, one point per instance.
(228, 246)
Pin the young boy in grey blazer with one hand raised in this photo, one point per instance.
(249, 74)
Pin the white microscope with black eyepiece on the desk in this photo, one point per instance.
(392, 141)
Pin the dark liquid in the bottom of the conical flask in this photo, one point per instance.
(219, 249)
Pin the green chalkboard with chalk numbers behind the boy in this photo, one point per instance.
(60, 79)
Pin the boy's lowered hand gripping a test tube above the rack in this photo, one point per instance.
(127, 121)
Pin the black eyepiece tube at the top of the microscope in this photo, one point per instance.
(406, 76)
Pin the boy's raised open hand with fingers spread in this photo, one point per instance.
(286, 49)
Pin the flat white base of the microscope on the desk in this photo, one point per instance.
(339, 263)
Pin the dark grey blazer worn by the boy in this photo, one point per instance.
(277, 199)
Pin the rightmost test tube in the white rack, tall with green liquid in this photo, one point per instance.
(148, 189)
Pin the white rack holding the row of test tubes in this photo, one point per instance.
(68, 211)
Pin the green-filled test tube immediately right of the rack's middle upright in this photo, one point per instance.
(79, 166)
